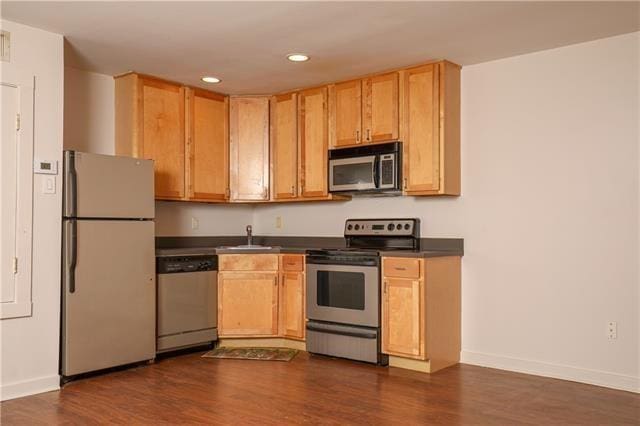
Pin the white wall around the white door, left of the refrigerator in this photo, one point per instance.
(29, 346)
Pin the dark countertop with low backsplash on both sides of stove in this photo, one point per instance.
(176, 246)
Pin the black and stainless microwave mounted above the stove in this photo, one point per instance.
(366, 170)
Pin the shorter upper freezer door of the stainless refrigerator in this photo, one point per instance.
(106, 186)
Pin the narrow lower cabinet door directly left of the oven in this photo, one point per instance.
(292, 294)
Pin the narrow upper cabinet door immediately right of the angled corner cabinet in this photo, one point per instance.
(284, 146)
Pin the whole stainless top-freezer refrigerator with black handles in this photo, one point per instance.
(108, 262)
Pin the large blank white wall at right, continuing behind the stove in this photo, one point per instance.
(549, 212)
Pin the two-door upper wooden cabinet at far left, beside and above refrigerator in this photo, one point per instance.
(183, 130)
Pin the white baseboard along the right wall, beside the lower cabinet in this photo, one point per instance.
(556, 371)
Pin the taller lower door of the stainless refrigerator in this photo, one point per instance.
(108, 315)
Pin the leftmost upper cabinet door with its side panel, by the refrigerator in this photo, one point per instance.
(150, 123)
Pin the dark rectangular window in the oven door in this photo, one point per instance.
(344, 290)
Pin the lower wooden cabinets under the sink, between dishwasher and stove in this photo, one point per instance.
(261, 295)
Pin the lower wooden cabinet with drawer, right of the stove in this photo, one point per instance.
(421, 309)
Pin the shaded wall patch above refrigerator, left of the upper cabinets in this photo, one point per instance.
(89, 112)
